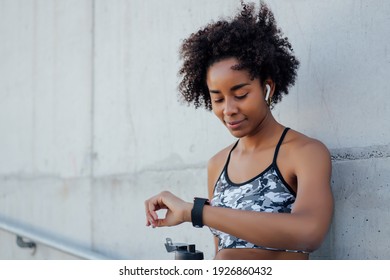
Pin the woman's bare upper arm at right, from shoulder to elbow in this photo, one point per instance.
(314, 196)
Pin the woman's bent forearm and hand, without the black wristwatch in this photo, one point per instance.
(300, 230)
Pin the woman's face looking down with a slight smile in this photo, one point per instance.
(237, 100)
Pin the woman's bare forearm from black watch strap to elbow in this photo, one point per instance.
(275, 230)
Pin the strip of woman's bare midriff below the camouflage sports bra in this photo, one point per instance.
(258, 254)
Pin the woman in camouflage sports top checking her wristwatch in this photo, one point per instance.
(269, 193)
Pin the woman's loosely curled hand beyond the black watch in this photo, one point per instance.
(178, 210)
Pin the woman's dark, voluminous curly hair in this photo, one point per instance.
(253, 39)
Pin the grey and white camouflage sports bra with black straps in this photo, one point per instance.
(267, 192)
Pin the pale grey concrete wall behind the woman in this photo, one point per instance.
(90, 123)
